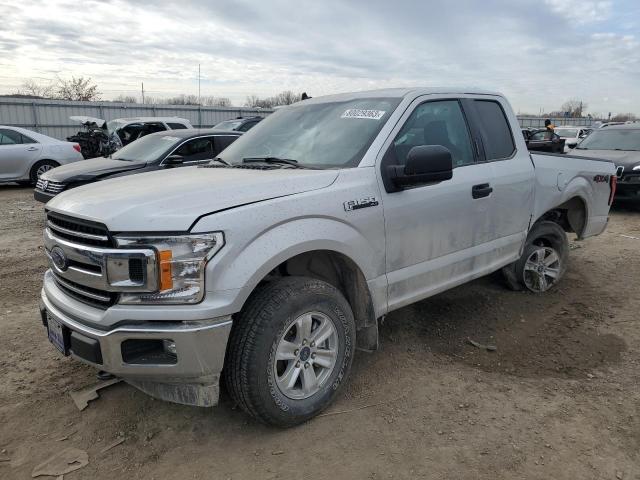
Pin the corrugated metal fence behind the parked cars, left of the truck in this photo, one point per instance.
(51, 117)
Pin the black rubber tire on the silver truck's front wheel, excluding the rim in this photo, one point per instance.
(250, 374)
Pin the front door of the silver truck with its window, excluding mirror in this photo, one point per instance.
(437, 234)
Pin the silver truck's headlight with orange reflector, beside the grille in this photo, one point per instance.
(181, 262)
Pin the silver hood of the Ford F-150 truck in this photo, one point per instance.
(172, 200)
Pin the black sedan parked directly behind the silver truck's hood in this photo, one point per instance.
(169, 149)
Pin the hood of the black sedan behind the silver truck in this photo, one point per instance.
(89, 170)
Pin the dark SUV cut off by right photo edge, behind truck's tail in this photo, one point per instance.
(621, 145)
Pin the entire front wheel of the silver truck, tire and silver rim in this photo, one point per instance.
(290, 349)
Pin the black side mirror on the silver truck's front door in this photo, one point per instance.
(425, 164)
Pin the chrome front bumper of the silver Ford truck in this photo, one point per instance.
(192, 378)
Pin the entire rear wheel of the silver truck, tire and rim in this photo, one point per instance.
(543, 261)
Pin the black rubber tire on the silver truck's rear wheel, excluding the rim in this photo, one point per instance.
(543, 234)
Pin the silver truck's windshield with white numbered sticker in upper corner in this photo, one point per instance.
(316, 135)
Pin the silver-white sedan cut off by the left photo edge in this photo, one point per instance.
(25, 155)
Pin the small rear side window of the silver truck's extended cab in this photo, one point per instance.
(497, 139)
